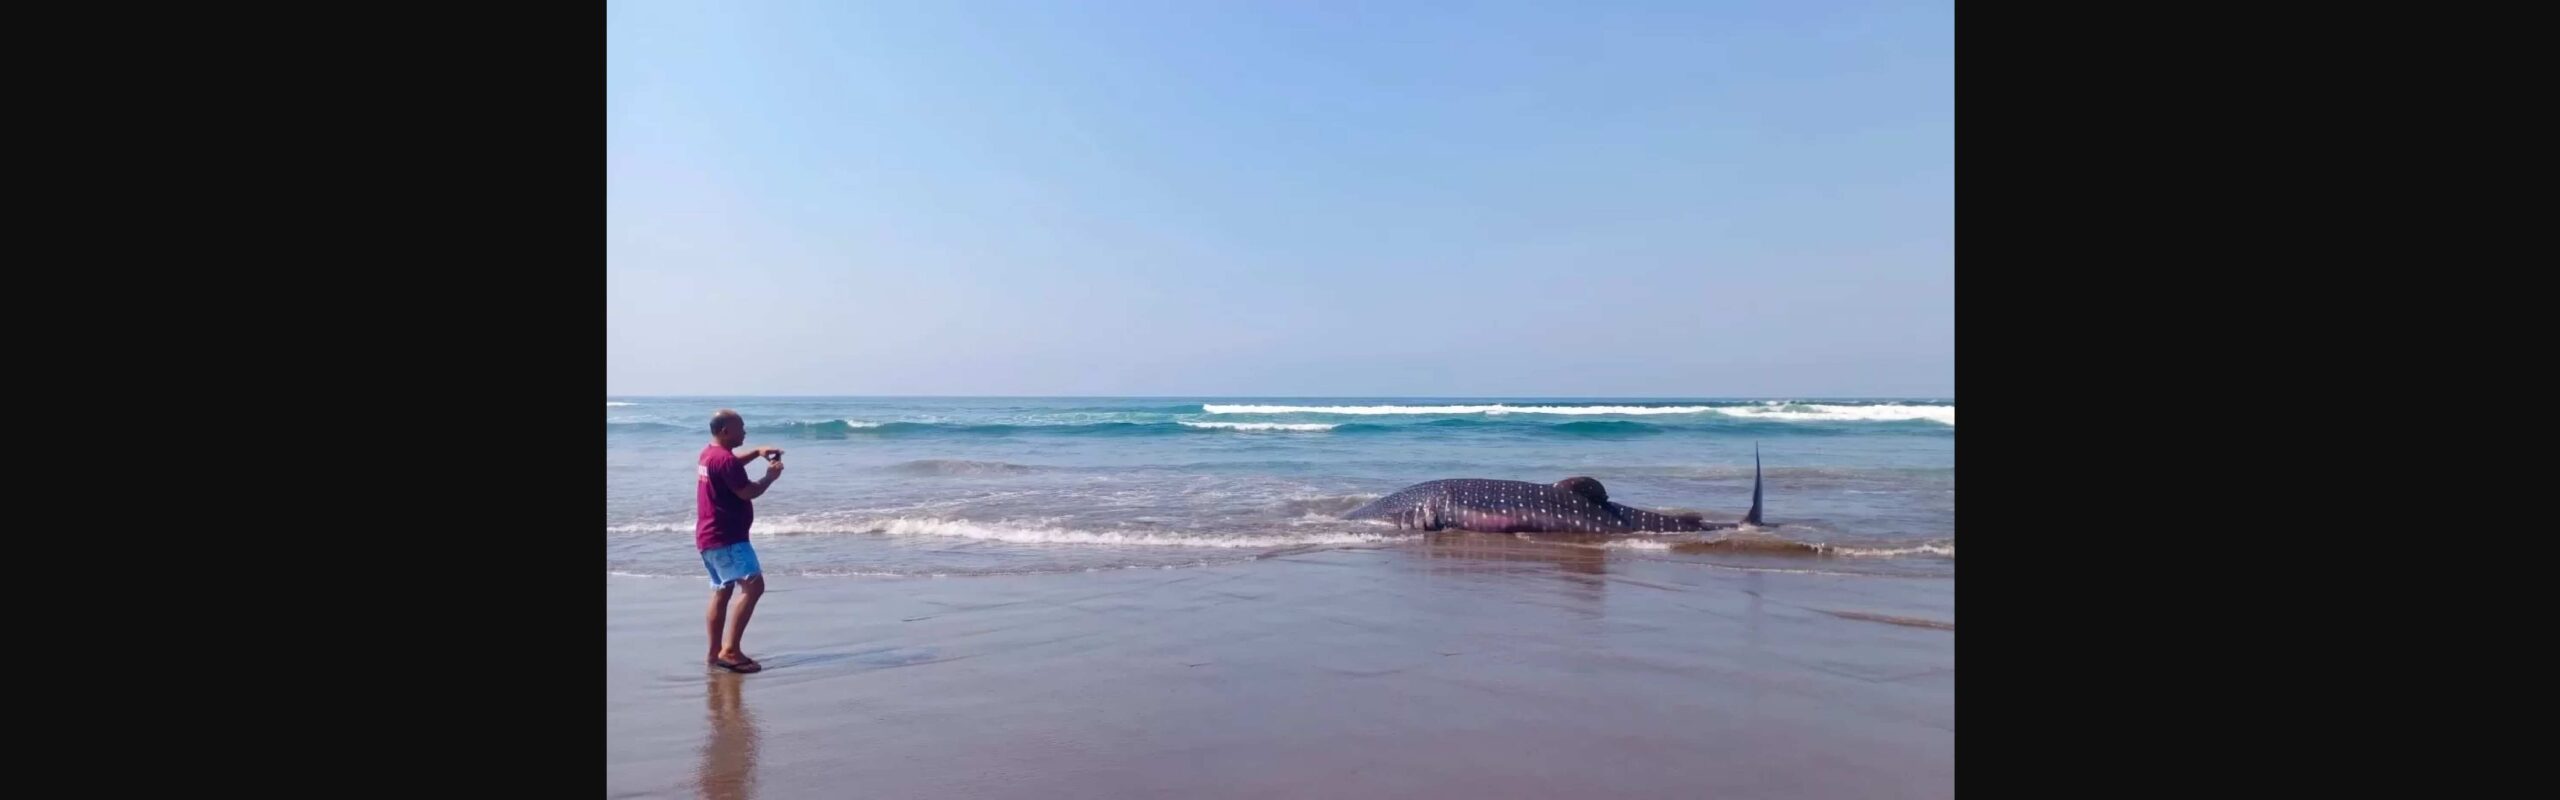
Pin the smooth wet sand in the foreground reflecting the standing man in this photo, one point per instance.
(1468, 668)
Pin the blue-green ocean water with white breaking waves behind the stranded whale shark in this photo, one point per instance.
(882, 488)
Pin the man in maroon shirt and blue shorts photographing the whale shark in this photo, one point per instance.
(723, 509)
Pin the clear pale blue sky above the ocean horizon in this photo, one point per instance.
(1281, 199)
